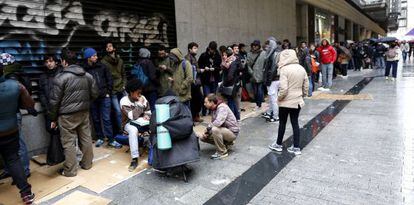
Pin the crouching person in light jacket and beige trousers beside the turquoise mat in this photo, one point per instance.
(223, 129)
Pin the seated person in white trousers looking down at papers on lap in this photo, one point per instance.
(133, 107)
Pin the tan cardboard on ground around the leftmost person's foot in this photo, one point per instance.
(42, 185)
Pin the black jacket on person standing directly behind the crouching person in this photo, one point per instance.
(207, 60)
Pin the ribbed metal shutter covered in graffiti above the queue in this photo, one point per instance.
(32, 29)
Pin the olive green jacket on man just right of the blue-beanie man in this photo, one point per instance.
(116, 66)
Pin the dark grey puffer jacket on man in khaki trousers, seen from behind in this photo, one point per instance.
(72, 92)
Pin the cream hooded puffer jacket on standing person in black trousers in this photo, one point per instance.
(294, 83)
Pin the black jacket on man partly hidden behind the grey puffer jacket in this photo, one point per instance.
(46, 85)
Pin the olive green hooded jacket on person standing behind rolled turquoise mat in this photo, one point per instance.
(182, 79)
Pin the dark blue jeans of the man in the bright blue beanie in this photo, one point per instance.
(101, 115)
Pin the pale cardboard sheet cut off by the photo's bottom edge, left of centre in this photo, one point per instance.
(81, 198)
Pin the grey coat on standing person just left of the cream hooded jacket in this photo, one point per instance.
(256, 70)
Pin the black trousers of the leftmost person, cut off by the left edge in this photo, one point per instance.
(9, 147)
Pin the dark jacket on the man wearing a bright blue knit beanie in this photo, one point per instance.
(102, 76)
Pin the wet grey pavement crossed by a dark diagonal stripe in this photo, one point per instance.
(354, 152)
